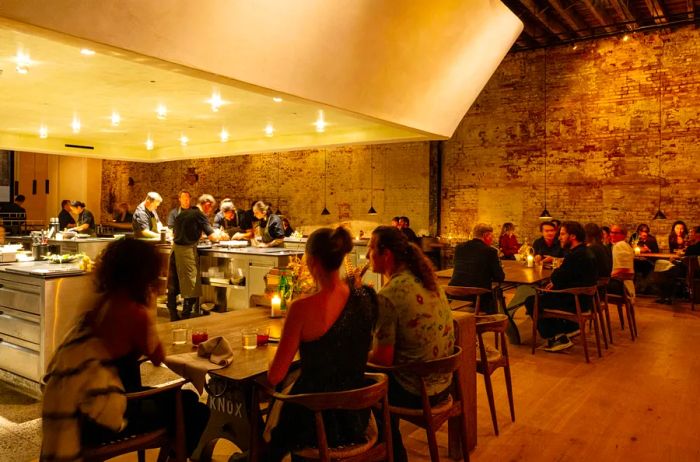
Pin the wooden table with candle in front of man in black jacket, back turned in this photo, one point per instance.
(516, 274)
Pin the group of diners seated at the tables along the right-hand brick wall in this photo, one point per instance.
(585, 257)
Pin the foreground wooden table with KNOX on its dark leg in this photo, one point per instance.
(231, 389)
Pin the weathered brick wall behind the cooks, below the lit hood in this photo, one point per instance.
(401, 178)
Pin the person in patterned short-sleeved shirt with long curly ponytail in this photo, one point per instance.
(414, 322)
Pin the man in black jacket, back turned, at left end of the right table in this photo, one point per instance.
(476, 264)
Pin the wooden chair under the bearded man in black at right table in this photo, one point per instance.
(579, 316)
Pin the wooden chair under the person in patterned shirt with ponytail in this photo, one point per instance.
(430, 417)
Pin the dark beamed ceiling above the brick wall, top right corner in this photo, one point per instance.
(557, 22)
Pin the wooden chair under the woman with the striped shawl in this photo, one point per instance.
(159, 438)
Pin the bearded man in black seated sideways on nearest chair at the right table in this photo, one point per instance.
(577, 270)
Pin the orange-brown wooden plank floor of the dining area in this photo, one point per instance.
(639, 402)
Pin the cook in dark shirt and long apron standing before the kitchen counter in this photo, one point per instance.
(183, 276)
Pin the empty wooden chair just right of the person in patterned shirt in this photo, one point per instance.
(491, 359)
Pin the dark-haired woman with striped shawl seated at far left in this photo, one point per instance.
(98, 362)
